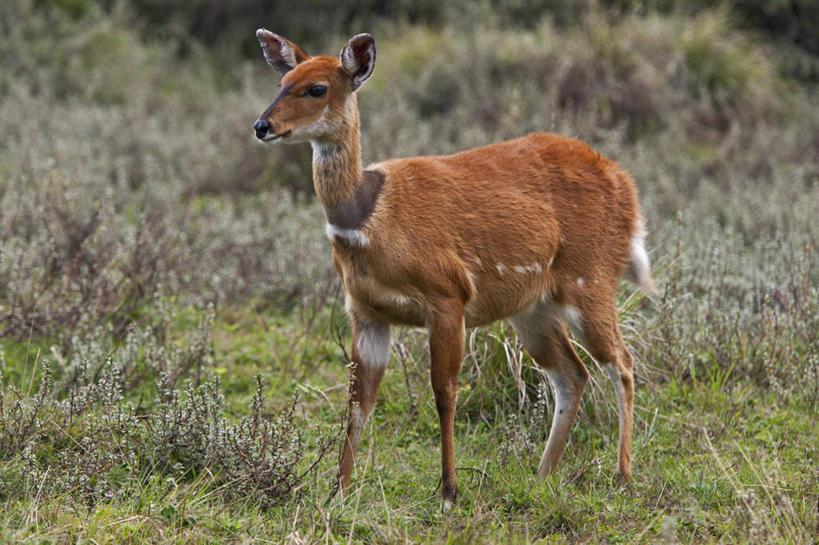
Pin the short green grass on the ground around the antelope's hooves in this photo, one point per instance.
(714, 461)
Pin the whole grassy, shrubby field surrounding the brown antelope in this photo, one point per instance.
(173, 344)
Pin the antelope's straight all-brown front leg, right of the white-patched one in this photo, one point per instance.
(446, 344)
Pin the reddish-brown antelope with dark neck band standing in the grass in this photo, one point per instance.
(538, 230)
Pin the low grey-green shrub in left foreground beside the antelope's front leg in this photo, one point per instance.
(85, 436)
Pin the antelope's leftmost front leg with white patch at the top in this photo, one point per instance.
(369, 354)
